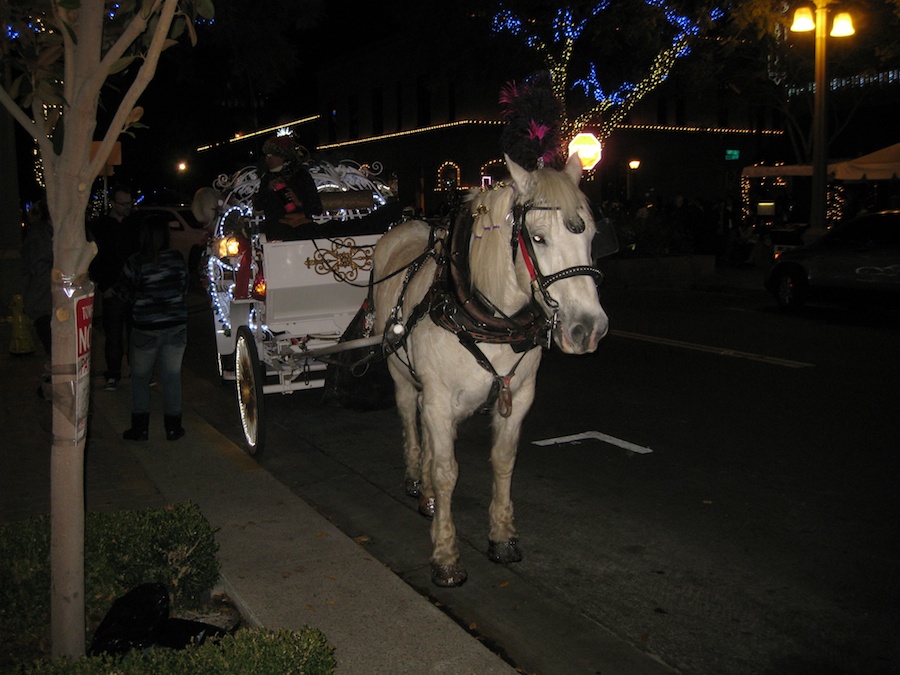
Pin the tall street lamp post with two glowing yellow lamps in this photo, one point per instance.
(843, 26)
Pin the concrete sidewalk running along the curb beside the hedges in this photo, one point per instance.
(283, 564)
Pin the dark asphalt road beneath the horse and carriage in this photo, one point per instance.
(759, 535)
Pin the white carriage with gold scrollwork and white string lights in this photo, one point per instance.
(280, 308)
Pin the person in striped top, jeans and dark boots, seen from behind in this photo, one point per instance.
(154, 282)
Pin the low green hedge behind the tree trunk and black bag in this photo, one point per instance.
(174, 546)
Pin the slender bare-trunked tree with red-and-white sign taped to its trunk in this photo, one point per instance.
(58, 55)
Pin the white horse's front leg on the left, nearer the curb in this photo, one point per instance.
(439, 436)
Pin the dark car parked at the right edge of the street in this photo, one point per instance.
(859, 259)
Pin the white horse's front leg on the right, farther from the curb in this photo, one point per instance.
(503, 540)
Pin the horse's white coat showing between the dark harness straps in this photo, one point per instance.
(451, 385)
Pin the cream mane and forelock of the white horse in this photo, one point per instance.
(490, 256)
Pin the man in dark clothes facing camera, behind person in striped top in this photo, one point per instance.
(115, 234)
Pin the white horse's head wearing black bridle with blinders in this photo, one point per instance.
(553, 224)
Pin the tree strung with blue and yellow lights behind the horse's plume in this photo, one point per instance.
(650, 34)
